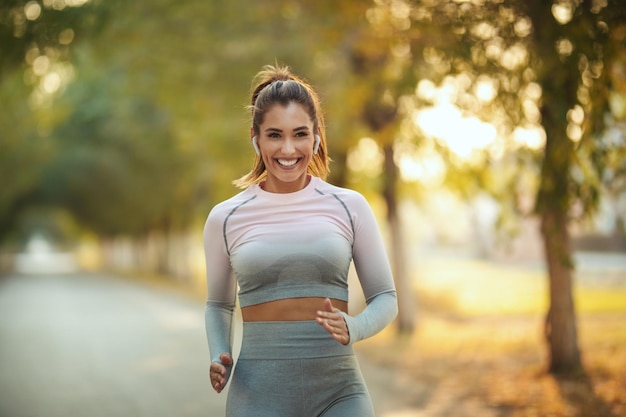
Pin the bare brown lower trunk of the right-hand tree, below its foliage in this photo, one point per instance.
(560, 325)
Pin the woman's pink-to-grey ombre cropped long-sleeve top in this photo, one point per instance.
(275, 246)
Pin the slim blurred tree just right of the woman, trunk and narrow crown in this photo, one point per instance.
(383, 74)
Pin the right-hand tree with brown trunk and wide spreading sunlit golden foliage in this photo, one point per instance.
(548, 63)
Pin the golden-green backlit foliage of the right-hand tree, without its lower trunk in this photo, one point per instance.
(543, 71)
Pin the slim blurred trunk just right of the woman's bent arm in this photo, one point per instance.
(406, 297)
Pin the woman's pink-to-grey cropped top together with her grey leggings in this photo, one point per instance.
(276, 246)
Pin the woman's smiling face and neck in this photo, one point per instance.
(285, 141)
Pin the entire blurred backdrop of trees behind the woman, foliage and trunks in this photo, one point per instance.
(124, 122)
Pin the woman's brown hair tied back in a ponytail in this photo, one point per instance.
(277, 85)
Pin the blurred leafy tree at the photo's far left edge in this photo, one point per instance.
(36, 40)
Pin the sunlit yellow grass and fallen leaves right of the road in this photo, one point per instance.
(479, 351)
